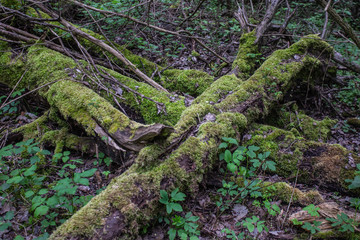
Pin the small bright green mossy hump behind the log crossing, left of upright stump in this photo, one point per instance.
(192, 82)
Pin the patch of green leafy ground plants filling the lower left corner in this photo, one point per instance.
(25, 184)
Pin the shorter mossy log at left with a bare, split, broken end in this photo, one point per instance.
(75, 101)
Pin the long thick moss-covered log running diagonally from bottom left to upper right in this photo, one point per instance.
(225, 109)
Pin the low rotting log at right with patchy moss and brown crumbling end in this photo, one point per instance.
(325, 165)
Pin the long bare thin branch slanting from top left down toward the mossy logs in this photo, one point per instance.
(104, 46)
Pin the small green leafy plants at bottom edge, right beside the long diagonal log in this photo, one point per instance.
(184, 227)
